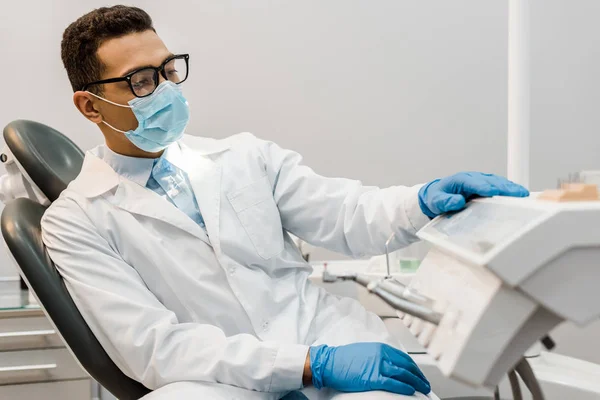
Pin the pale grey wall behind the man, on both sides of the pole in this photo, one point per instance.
(386, 91)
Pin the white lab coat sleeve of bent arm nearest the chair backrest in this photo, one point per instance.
(142, 337)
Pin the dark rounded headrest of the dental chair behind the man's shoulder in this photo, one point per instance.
(50, 158)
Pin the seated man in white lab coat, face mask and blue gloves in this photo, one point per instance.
(176, 249)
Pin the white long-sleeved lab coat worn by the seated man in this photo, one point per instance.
(168, 305)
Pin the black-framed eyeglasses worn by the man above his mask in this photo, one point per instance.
(144, 81)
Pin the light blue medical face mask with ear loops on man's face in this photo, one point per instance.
(162, 117)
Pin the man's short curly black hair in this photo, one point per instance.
(81, 40)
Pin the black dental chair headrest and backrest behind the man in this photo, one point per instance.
(45, 173)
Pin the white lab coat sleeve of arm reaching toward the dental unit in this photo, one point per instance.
(340, 214)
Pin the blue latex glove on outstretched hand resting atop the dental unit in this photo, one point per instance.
(453, 192)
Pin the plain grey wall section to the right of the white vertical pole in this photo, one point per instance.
(565, 89)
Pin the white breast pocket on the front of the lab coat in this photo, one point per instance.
(259, 215)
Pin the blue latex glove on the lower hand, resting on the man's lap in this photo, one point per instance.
(361, 367)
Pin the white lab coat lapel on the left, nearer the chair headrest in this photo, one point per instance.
(138, 200)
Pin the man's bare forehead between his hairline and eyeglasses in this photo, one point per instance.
(131, 51)
